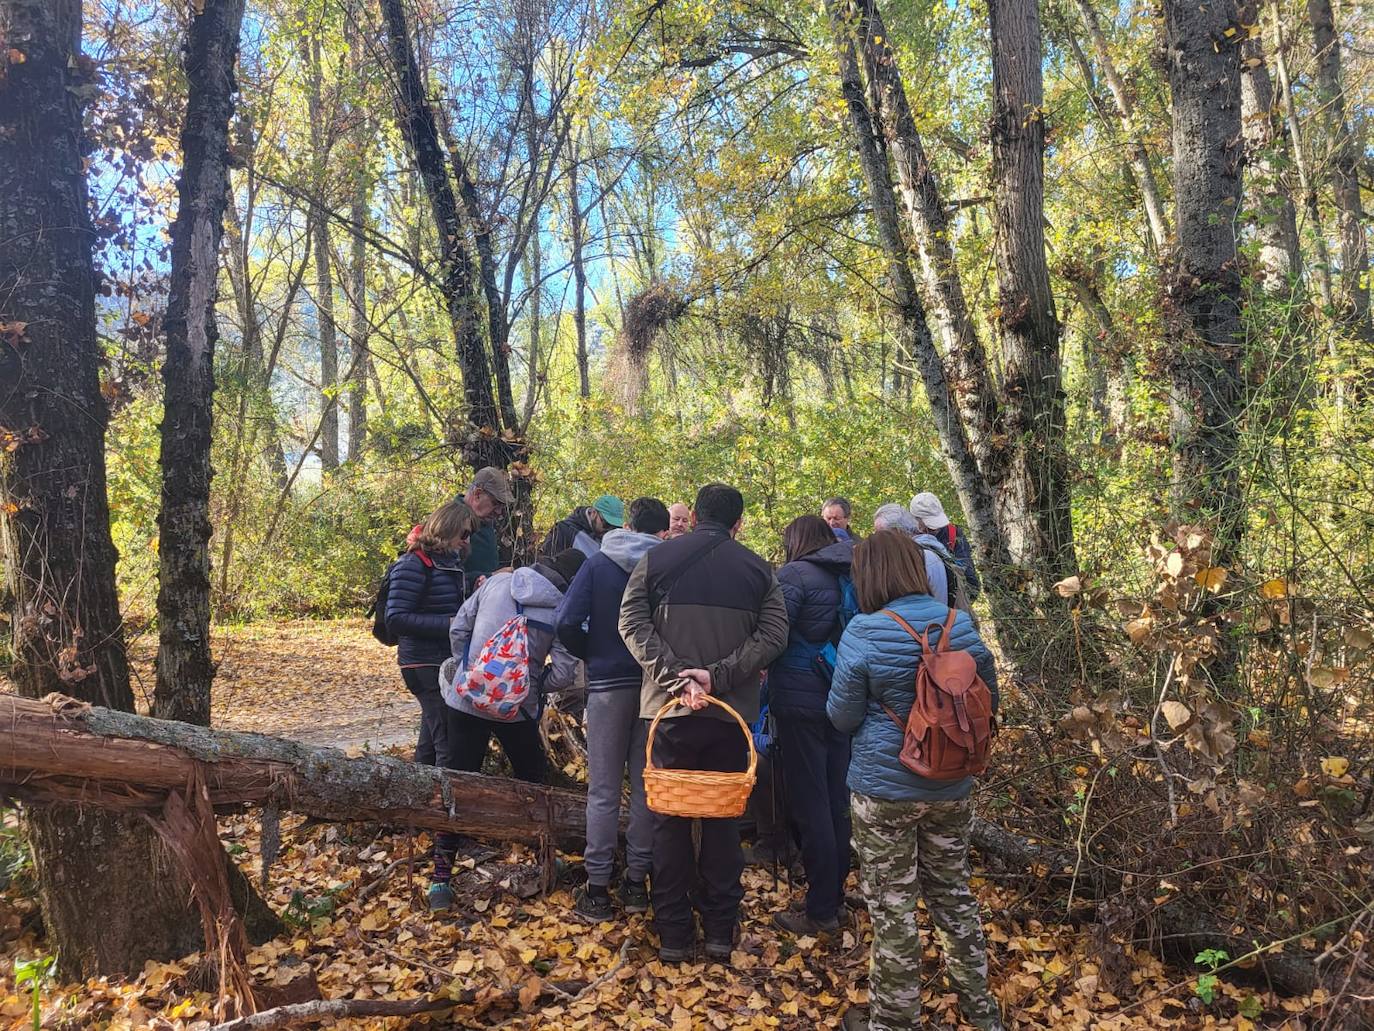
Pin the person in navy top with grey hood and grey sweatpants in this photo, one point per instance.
(587, 625)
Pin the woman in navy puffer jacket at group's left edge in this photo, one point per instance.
(425, 590)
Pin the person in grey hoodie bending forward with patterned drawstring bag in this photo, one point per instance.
(537, 593)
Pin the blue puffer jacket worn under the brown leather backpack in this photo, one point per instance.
(877, 666)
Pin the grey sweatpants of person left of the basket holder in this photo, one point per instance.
(616, 740)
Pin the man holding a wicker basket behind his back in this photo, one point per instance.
(701, 615)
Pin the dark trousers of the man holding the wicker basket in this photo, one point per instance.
(697, 743)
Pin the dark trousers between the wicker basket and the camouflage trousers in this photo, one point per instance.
(815, 764)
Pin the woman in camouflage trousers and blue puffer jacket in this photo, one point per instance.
(899, 816)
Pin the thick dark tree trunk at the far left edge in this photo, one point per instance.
(98, 874)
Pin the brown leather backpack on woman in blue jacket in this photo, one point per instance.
(950, 729)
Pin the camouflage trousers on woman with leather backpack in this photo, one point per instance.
(909, 850)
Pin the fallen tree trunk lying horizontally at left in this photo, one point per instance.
(60, 750)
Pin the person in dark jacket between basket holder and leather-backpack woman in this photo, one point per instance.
(813, 755)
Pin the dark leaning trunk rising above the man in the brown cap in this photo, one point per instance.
(421, 133)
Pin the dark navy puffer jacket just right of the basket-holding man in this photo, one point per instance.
(811, 589)
